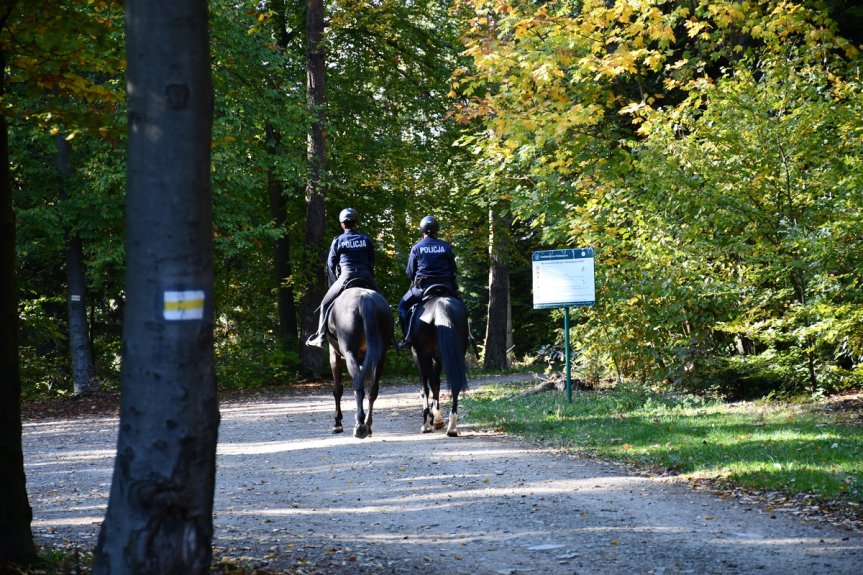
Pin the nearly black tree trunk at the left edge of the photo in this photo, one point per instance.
(16, 543)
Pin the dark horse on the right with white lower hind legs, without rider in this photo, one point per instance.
(439, 338)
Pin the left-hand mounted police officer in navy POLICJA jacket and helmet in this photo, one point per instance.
(351, 257)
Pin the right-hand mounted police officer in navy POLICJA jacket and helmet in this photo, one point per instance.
(431, 262)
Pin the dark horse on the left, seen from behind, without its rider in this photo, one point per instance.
(359, 329)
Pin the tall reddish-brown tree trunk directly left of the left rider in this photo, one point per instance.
(313, 358)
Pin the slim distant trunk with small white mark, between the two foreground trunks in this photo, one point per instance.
(76, 280)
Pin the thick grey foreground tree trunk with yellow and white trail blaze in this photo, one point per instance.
(160, 508)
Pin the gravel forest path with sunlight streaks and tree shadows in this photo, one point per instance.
(292, 496)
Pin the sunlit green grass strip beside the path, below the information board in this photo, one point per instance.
(764, 446)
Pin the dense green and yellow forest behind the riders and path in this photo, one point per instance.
(710, 151)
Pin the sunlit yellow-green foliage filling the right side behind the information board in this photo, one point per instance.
(707, 151)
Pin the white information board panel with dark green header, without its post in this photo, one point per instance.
(563, 278)
